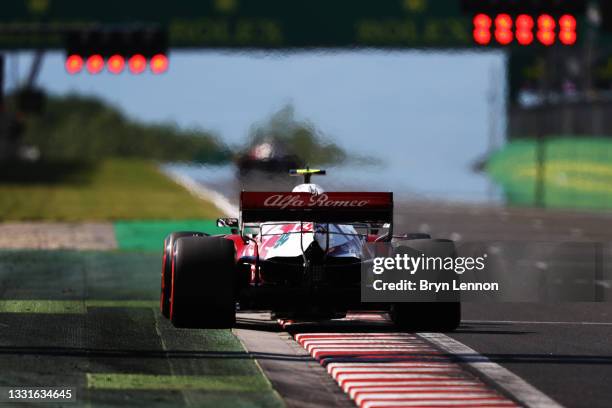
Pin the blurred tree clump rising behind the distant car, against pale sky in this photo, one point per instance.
(300, 137)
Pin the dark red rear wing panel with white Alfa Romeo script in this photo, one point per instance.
(333, 207)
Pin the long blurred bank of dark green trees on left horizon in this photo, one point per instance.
(85, 128)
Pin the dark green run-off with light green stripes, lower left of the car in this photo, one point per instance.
(106, 303)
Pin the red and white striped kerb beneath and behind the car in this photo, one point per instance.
(380, 367)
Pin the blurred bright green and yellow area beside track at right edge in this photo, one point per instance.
(578, 172)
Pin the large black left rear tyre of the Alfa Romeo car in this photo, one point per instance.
(202, 290)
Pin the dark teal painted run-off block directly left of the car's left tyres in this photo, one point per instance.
(88, 276)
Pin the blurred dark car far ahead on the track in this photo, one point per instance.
(269, 156)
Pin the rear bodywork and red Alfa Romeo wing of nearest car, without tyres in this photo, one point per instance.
(299, 250)
